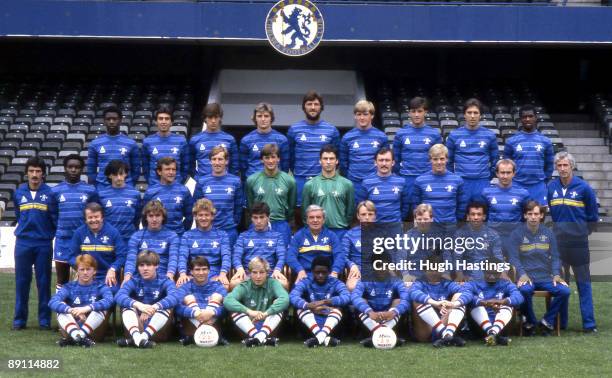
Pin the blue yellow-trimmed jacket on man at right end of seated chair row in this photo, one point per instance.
(534, 254)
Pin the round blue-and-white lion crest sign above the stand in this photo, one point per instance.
(294, 27)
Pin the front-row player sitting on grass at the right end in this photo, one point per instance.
(493, 300)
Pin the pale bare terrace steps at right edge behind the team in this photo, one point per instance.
(592, 155)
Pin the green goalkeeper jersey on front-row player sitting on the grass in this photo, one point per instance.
(271, 297)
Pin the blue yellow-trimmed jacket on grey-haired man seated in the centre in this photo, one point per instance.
(304, 248)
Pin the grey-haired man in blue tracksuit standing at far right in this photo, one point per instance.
(573, 207)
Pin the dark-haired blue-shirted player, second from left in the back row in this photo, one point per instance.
(164, 144)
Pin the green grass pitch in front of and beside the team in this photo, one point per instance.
(573, 354)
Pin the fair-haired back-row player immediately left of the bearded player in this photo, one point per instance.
(253, 143)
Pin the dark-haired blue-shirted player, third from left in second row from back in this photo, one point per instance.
(121, 202)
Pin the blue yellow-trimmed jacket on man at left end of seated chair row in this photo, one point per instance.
(106, 246)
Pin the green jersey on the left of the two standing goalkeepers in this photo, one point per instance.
(278, 192)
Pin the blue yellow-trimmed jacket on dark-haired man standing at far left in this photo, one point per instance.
(36, 217)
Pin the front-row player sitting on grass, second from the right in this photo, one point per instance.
(440, 303)
